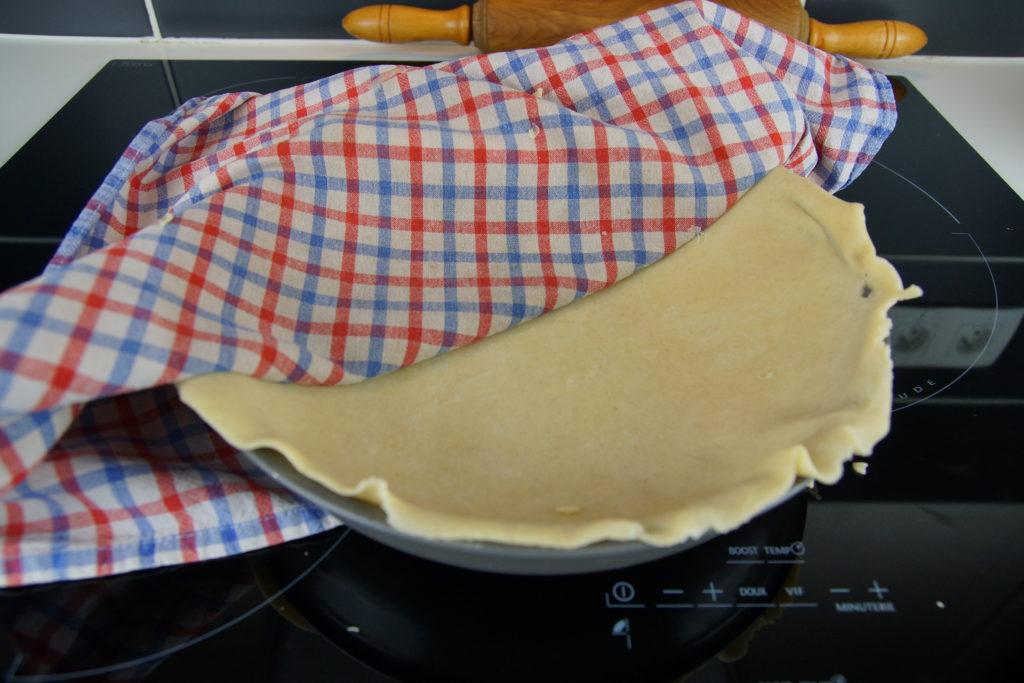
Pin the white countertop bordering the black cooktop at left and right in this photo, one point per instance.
(983, 98)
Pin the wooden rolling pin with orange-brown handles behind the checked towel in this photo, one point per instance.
(495, 26)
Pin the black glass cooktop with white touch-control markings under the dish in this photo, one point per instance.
(912, 573)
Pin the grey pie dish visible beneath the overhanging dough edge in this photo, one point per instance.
(370, 521)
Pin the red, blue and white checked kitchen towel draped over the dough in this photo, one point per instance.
(344, 229)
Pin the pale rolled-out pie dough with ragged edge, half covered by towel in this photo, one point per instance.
(687, 398)
